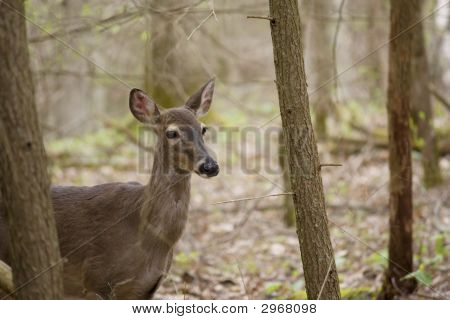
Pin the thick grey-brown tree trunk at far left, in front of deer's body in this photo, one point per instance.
(24, 183)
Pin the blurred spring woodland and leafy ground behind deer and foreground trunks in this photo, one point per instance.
(86, 55)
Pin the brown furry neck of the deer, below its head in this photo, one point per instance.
(166, 201)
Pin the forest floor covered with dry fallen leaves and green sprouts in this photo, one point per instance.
(243, 250)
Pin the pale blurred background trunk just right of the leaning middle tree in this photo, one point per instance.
(320, 44)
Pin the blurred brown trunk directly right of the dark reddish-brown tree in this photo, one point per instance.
(422, 112)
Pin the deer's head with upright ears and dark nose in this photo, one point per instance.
(180, 134)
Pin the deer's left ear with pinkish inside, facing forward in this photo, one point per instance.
(143, 107)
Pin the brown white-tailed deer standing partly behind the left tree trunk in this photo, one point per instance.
(117, 238)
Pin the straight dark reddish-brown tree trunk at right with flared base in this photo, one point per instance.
(398, 108)
